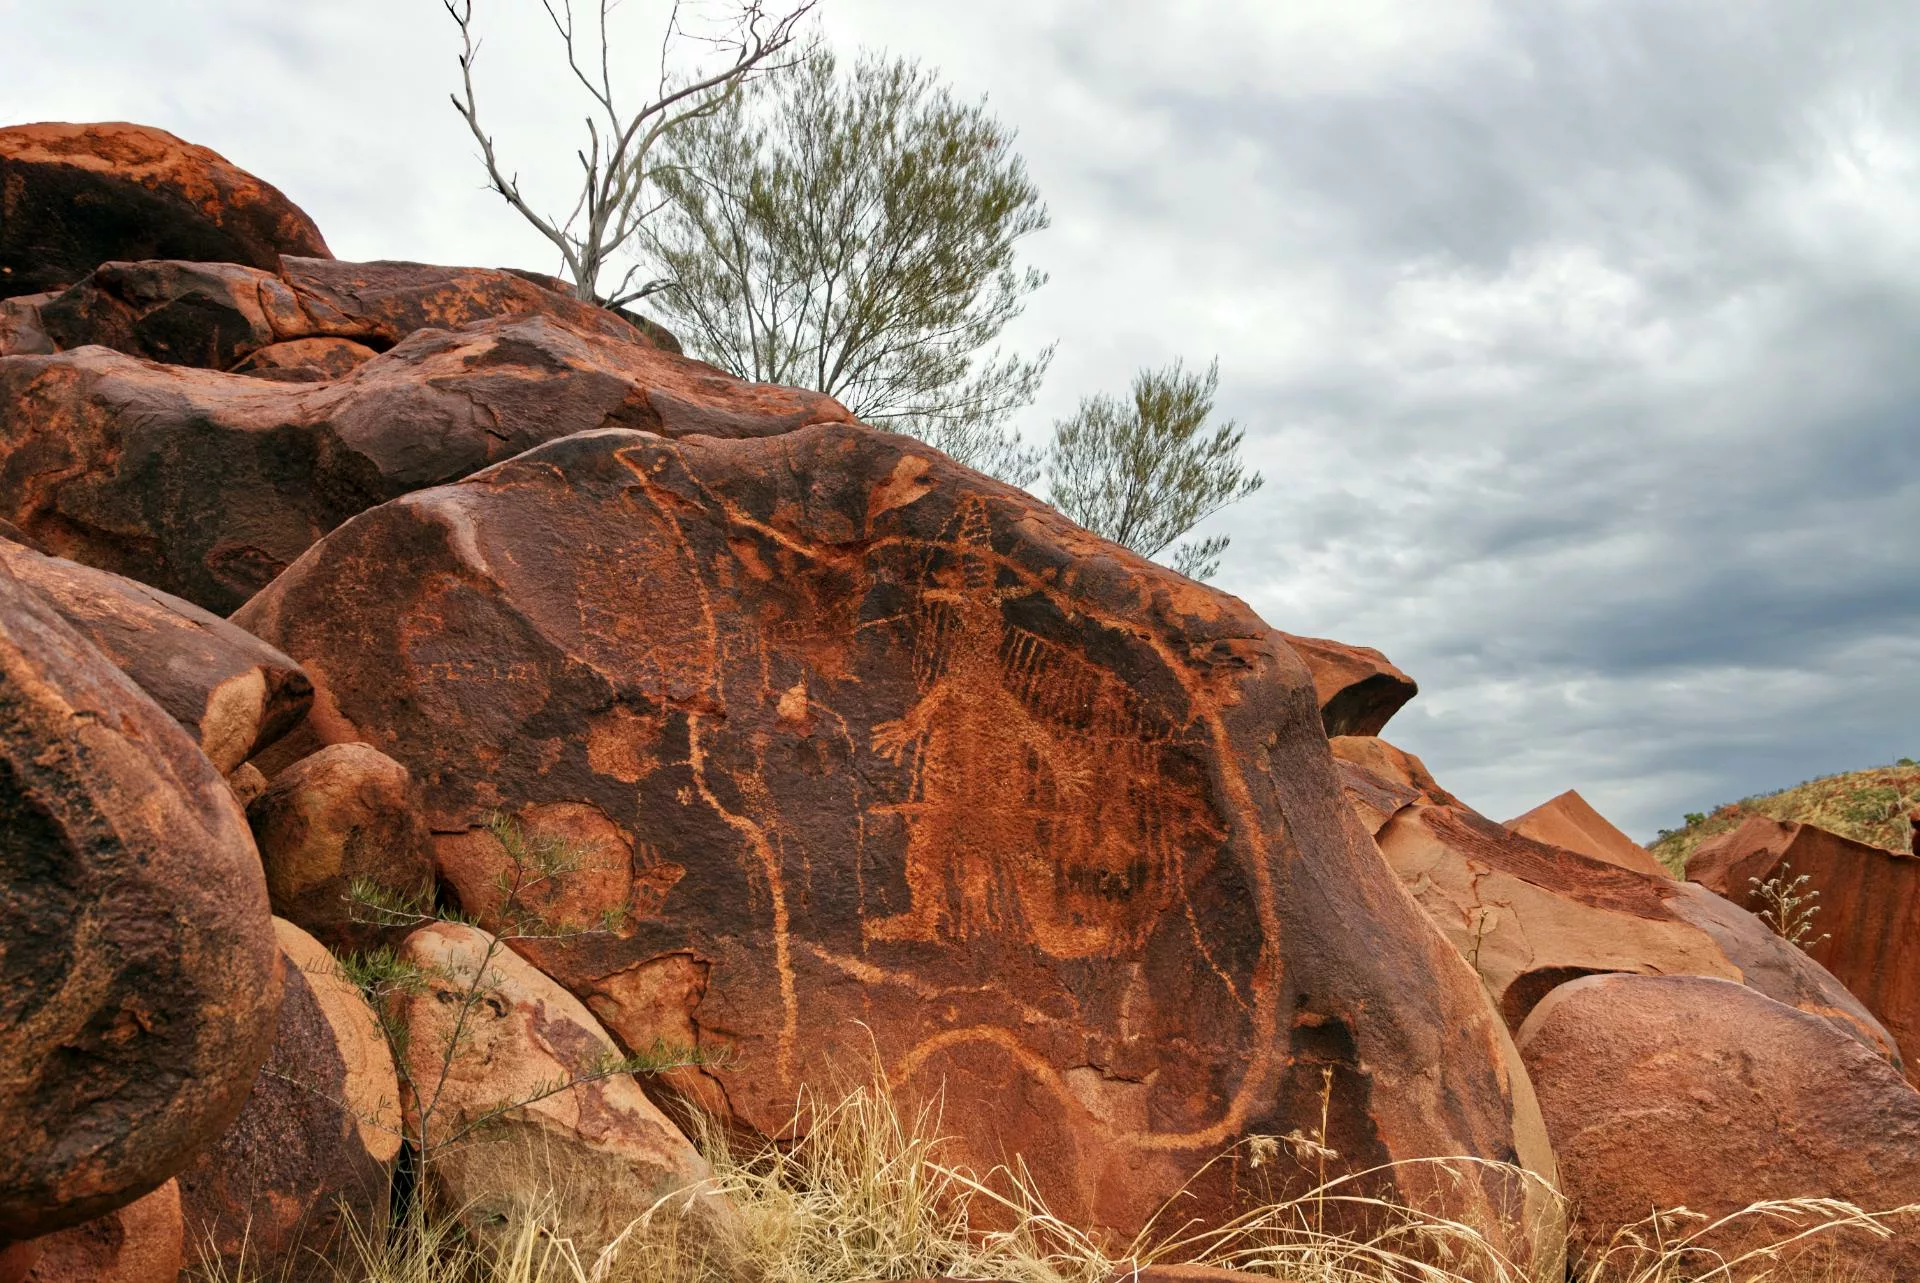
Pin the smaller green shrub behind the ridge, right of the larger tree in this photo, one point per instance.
(1147, 472)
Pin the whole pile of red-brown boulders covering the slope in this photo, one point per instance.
(757, 750)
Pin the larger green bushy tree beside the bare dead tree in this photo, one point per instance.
(855, 233)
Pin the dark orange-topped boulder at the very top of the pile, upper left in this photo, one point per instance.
(74, 197)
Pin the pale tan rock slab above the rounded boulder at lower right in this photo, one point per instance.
(1531, 917)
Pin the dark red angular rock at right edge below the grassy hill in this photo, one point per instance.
(1867, 921)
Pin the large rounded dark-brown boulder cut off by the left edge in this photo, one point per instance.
(139, 980)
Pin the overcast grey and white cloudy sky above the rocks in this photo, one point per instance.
(1579, 341)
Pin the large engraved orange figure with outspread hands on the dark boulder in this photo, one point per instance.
(1040, 802)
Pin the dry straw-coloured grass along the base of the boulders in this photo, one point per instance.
(867, 1198)
